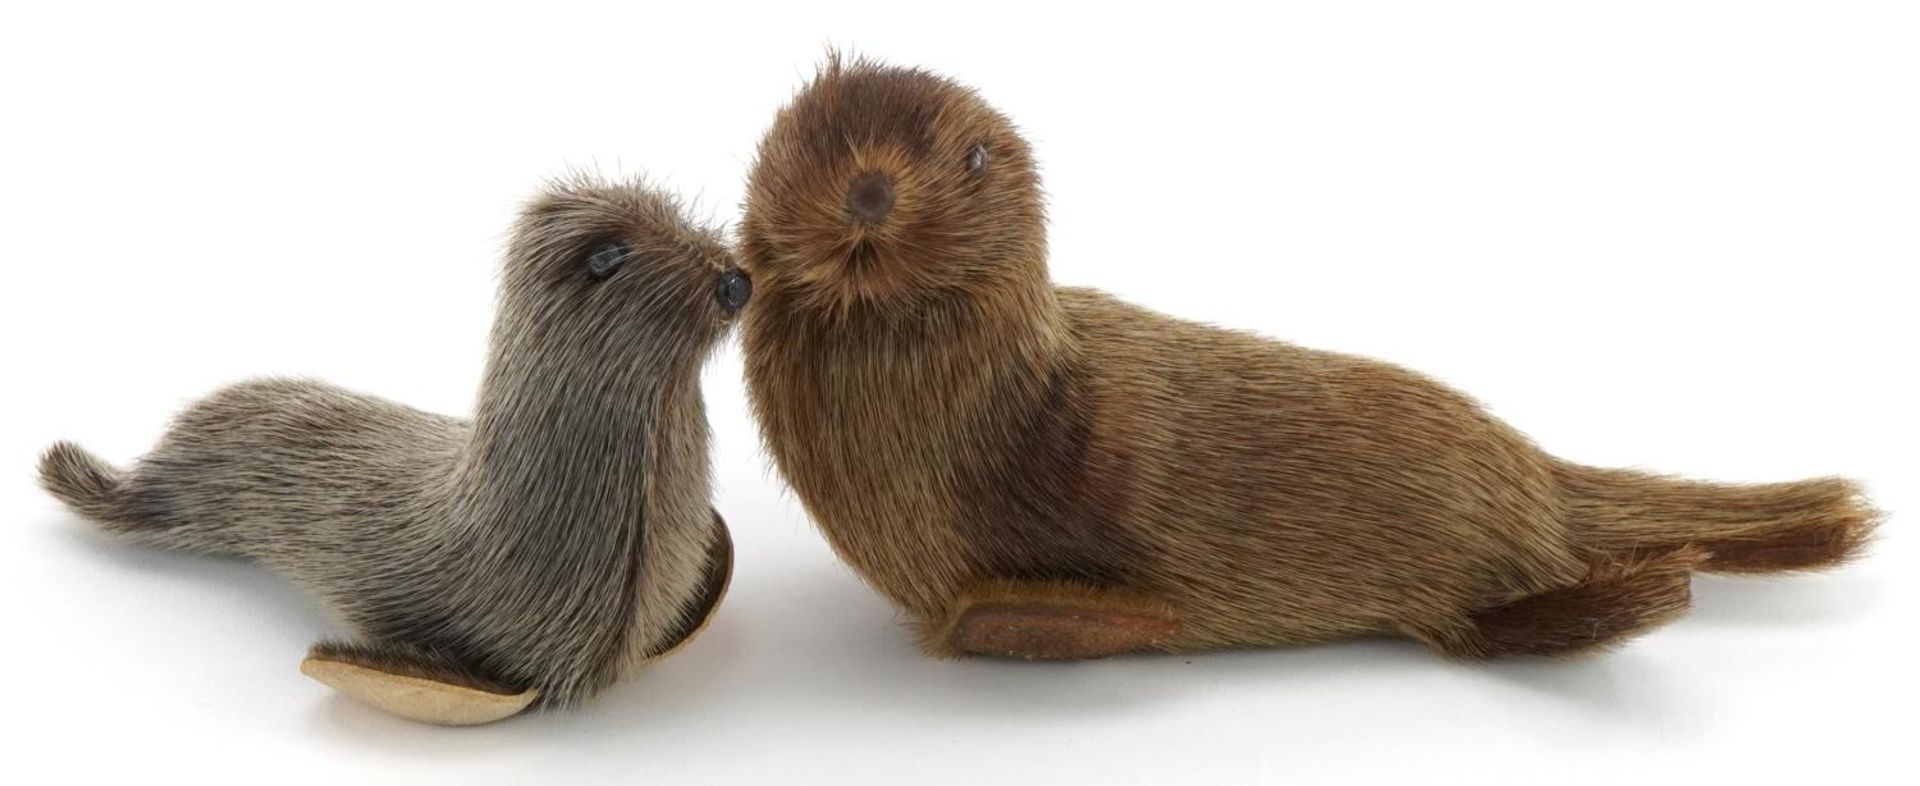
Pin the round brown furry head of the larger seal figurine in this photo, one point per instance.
(892, 185)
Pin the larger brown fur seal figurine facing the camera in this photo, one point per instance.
(1047, 472)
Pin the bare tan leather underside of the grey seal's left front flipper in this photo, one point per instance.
(414, 699)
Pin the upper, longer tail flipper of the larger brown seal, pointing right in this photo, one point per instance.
(1740, 529)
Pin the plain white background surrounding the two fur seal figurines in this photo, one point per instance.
(1673, 235)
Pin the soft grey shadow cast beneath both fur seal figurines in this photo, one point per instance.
(813, 641)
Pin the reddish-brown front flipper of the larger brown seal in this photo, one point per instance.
(1055, 622)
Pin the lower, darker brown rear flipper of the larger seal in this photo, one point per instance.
(1616, 602)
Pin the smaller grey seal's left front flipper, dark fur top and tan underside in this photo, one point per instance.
(412, 685)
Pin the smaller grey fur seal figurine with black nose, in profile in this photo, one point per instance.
(529, 556)
